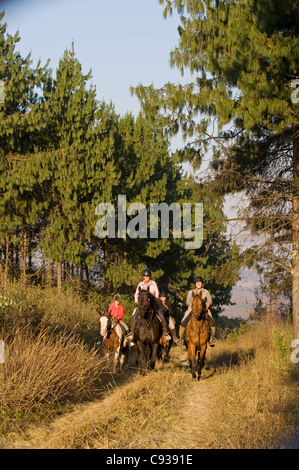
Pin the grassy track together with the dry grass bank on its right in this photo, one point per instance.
(249, 402)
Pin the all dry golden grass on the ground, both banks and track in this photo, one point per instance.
(249, 401)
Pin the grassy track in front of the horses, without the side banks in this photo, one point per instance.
(144, 412)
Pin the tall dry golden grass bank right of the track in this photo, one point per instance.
(256, 405)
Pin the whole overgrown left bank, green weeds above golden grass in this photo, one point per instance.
(50, 353)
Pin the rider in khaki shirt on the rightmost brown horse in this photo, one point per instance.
(206, 297)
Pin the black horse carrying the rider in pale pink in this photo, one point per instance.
(148, 331)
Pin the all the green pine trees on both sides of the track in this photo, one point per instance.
(62, 152)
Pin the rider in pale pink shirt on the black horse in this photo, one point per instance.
(147, 282)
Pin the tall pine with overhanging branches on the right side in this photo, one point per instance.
(241, 108)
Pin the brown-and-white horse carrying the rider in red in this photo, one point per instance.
(114, 341)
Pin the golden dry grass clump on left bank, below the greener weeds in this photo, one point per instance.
(42, 369)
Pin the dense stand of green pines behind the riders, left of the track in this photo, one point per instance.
(62, 152)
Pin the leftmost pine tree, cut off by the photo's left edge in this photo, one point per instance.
(23, 93)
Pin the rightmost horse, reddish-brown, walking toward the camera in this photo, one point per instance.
(197, 335)
